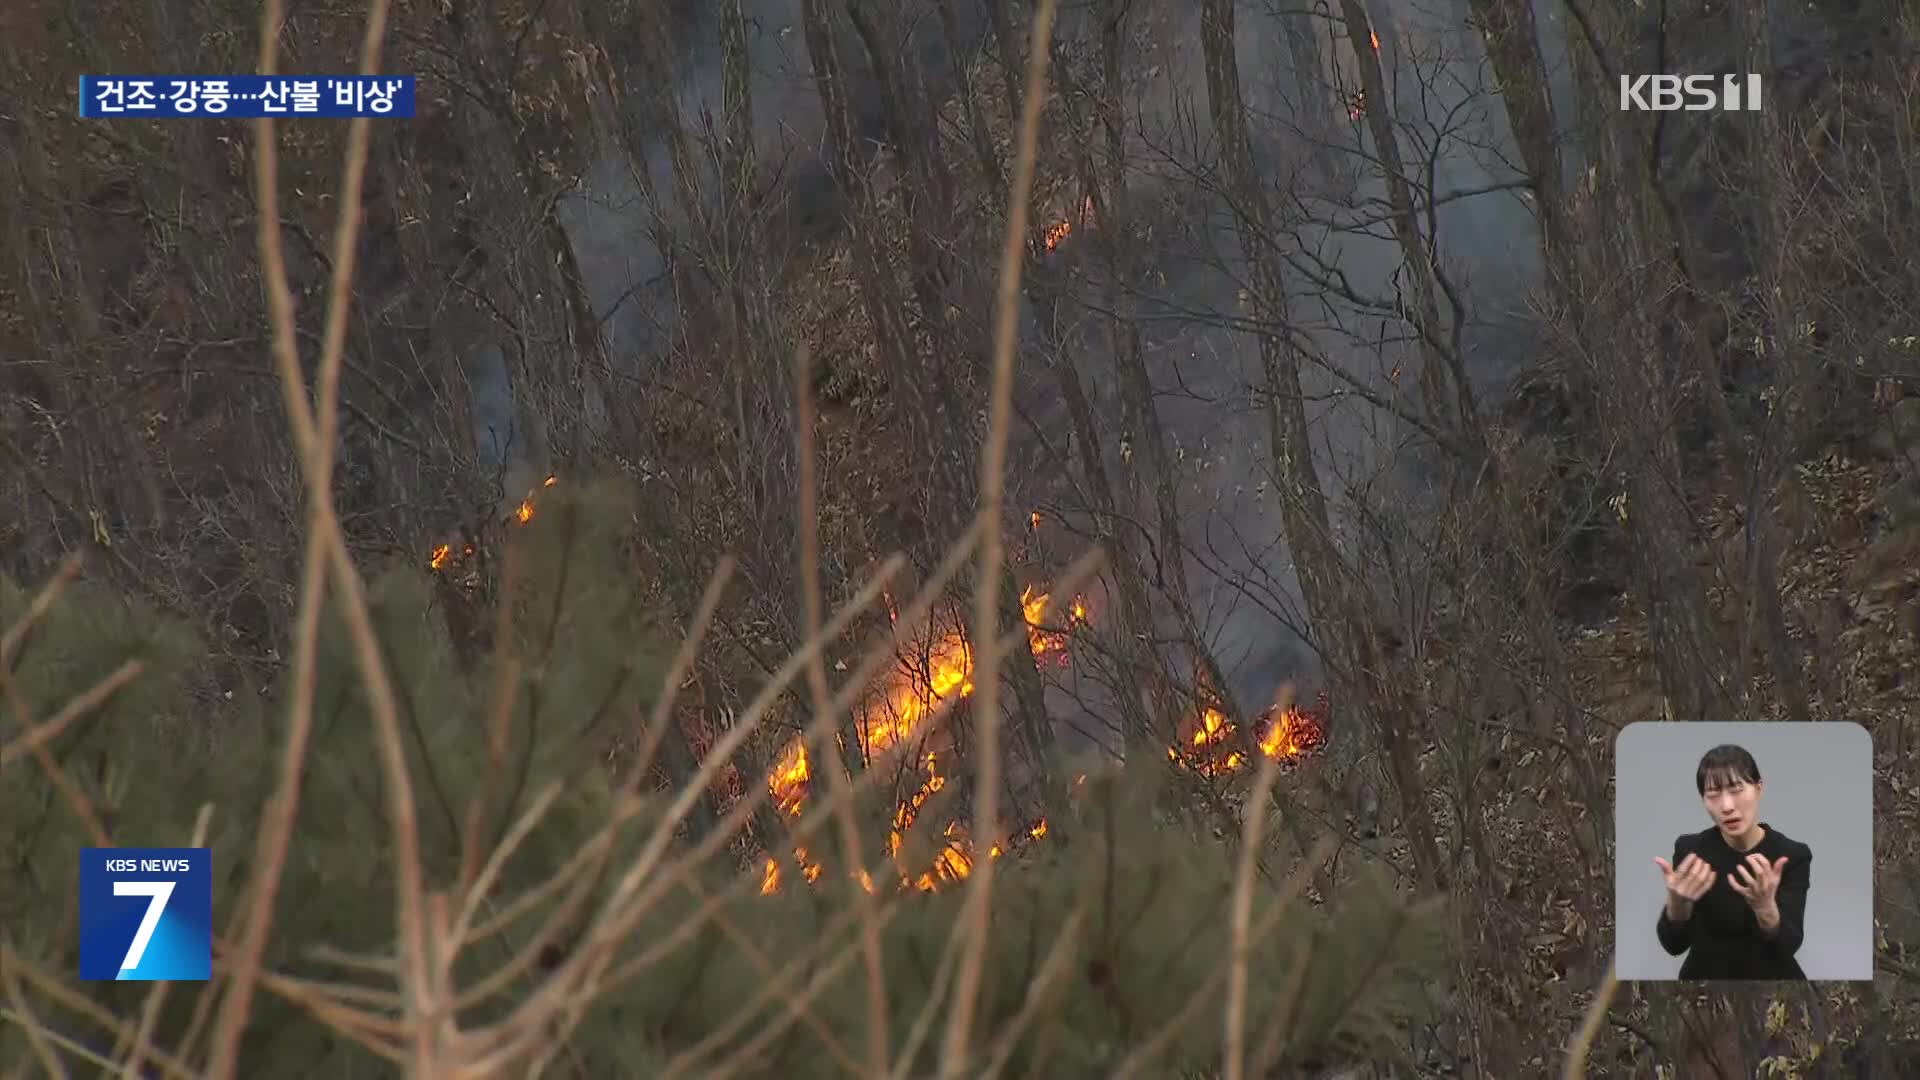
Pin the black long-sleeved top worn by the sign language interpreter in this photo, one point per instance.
(1723, 937)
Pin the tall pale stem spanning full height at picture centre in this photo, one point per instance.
(974, 921)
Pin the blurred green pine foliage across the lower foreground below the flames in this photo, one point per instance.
(1109, 933)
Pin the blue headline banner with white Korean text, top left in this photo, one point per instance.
(247, 97)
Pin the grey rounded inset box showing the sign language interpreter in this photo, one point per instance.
(1744, 852)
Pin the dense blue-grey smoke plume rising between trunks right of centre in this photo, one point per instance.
(1451, 120)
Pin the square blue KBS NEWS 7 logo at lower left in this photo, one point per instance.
(147, 914)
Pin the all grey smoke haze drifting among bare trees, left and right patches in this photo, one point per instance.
(1189, 295)
